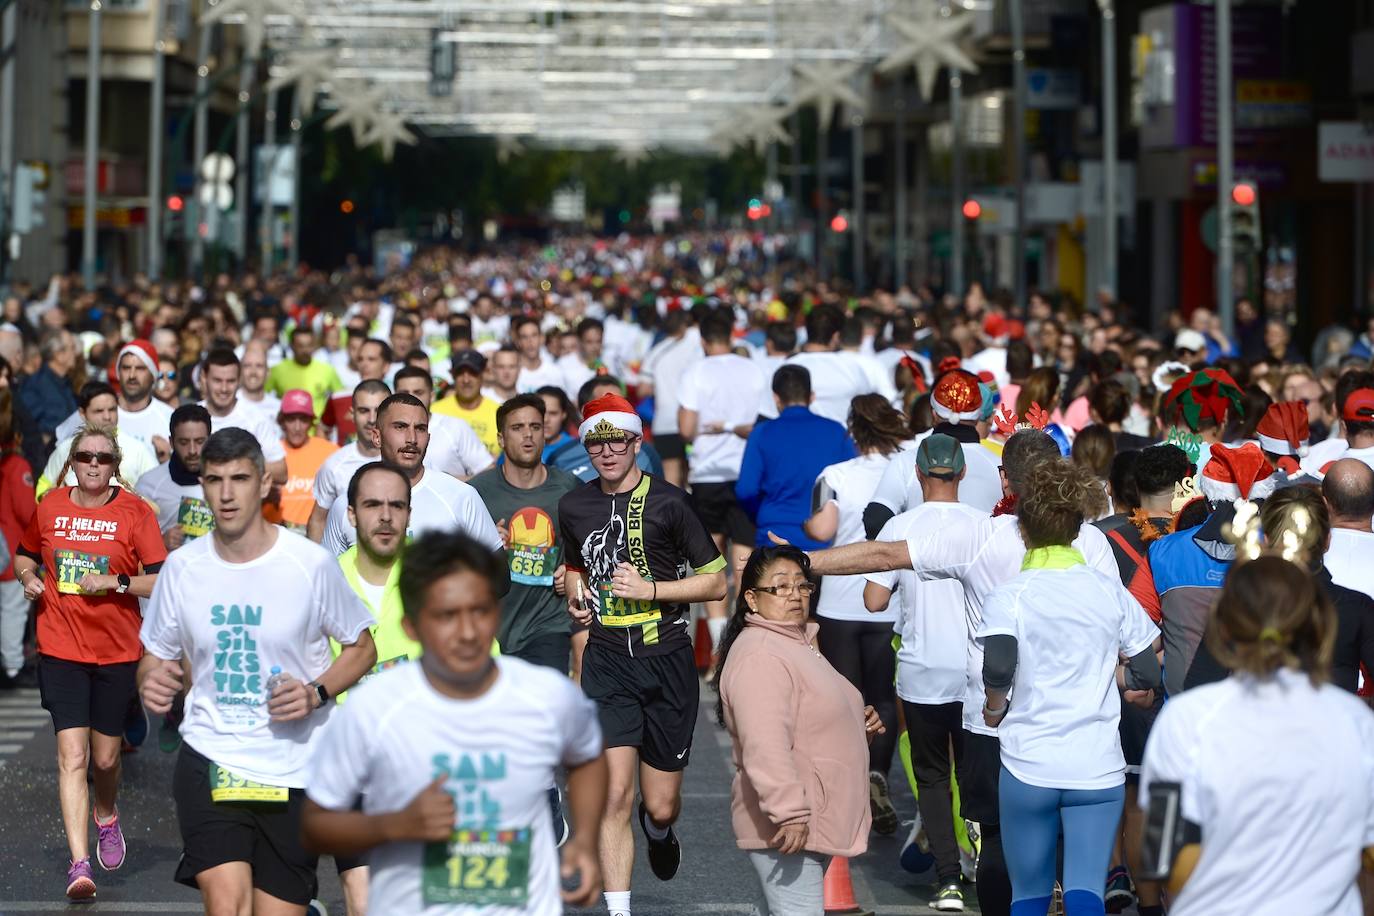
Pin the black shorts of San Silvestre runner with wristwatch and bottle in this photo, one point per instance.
(266, 837)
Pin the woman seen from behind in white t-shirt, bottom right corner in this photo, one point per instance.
(1273, 768)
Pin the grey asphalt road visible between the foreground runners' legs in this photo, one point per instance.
(715, 878)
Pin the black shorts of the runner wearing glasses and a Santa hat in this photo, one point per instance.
(646, 702)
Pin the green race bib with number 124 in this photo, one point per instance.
(477, 869)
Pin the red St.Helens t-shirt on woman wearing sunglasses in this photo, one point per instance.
(117, 538)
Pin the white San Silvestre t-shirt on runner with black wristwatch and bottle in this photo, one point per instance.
(234, 623)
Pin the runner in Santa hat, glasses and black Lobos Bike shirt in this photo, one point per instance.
(635, 538)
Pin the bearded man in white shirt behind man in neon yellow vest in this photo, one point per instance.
(439, 502)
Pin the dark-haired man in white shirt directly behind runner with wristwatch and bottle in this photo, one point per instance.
(175, 488)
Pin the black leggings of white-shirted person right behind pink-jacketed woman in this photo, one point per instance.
(862, 652)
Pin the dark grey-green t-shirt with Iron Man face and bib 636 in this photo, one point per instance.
(531, 609)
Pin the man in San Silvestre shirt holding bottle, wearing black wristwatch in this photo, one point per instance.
(249, 610)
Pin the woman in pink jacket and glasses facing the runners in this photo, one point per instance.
(800, 734)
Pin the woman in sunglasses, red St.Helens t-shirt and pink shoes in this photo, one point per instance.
(100, 550)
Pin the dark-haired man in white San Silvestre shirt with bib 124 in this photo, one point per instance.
(451, 759)
